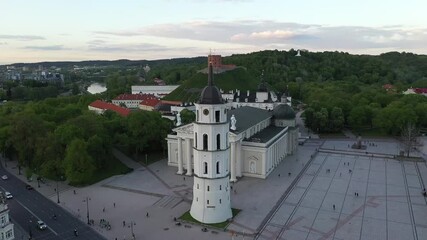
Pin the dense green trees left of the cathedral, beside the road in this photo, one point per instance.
(59, 138)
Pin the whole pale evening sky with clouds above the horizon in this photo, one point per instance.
(64, 30)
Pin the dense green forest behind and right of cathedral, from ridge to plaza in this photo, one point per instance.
(337, 89)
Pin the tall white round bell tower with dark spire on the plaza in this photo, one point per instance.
(211, 192)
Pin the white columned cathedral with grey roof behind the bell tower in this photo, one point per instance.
(258, 140)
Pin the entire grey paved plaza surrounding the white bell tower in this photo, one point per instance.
(325, 191)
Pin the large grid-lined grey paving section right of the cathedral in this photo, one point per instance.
(347, 196)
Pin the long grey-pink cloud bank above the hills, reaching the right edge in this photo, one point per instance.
(284, 35)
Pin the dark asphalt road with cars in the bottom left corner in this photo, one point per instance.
(29, 206)
